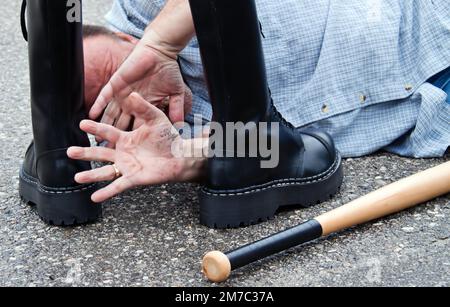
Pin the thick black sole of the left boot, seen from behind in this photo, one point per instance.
(60, 207)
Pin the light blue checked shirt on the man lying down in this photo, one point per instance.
(360, 69)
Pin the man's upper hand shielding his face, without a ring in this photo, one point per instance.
(153, 74)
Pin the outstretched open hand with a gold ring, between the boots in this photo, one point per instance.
(151, 154)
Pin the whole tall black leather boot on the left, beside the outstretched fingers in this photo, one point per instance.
(57, 80)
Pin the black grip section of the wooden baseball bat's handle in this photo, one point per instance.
(274, 244)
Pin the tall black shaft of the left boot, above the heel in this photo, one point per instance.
(55, 46)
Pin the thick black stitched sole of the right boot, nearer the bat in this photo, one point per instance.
(241, 208)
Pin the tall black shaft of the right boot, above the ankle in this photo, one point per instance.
(229, 36)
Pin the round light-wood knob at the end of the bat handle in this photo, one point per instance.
(216, 267)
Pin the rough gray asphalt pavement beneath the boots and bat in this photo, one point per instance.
(151, 236)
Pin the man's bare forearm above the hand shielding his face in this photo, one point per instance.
(172, 29)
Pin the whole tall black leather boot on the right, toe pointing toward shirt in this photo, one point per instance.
(239, 191)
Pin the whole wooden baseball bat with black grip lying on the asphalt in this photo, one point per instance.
(388, 200)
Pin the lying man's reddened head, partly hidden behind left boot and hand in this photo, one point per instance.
(104, 52)
